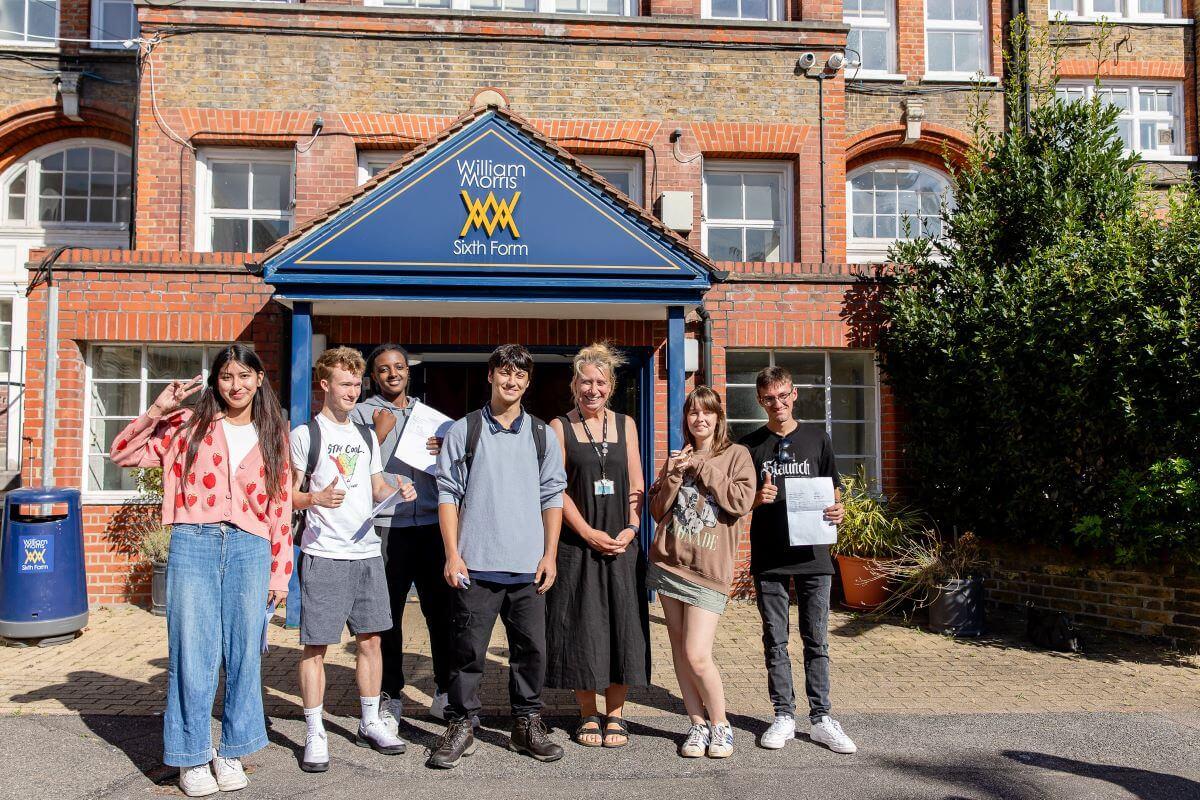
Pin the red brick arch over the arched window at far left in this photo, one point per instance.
(31, 125)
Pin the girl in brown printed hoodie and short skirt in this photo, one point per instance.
(701, 495)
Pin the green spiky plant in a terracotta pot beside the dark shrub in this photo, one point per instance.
(869, 533)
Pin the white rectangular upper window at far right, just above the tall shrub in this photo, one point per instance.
(1151, 121)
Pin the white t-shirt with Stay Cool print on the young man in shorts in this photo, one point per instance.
(346, 532)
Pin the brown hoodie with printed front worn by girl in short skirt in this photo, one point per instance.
(698, 518)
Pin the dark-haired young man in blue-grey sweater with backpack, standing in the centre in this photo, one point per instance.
(501, 482)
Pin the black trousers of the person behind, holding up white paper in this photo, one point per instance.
(412, 556)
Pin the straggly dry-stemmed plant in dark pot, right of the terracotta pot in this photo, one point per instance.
(946, 578)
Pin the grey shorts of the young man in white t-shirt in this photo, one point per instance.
(340, 593)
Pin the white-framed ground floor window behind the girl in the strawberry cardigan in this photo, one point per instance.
(123, 381)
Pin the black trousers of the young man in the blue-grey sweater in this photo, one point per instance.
(524, 613)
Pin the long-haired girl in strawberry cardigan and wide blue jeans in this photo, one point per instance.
(226, 495)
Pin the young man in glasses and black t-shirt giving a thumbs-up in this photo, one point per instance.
(784, 449)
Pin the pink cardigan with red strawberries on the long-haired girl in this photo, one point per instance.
(207, 496)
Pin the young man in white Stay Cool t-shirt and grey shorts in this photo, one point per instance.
(343, 580)
